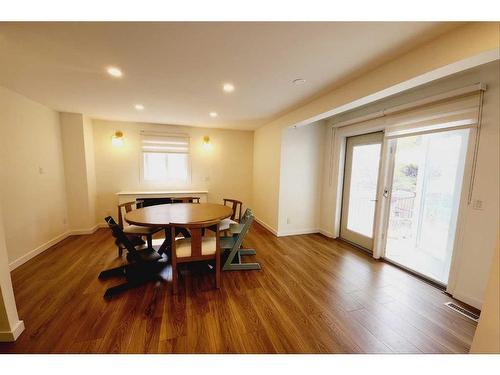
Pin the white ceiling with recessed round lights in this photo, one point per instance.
(176, 70)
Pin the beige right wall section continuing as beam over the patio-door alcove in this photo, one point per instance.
(456, 45)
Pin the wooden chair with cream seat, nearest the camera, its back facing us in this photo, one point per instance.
(196, 248)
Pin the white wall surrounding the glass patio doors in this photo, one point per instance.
(477, 239)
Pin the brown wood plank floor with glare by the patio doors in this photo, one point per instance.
(313, 295)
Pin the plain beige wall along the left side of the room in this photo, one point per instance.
(32, 192)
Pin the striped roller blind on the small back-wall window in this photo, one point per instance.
(164, 143)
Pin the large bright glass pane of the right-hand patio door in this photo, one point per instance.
(427, 180)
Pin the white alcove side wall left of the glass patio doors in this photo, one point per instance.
(300, 179)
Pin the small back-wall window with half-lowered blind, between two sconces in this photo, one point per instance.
(165, 158)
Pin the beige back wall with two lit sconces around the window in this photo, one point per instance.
(225, 170)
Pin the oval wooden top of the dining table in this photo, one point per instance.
(180, 213)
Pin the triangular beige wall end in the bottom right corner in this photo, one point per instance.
(487, 336)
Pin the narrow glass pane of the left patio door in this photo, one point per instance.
(363, 188)
